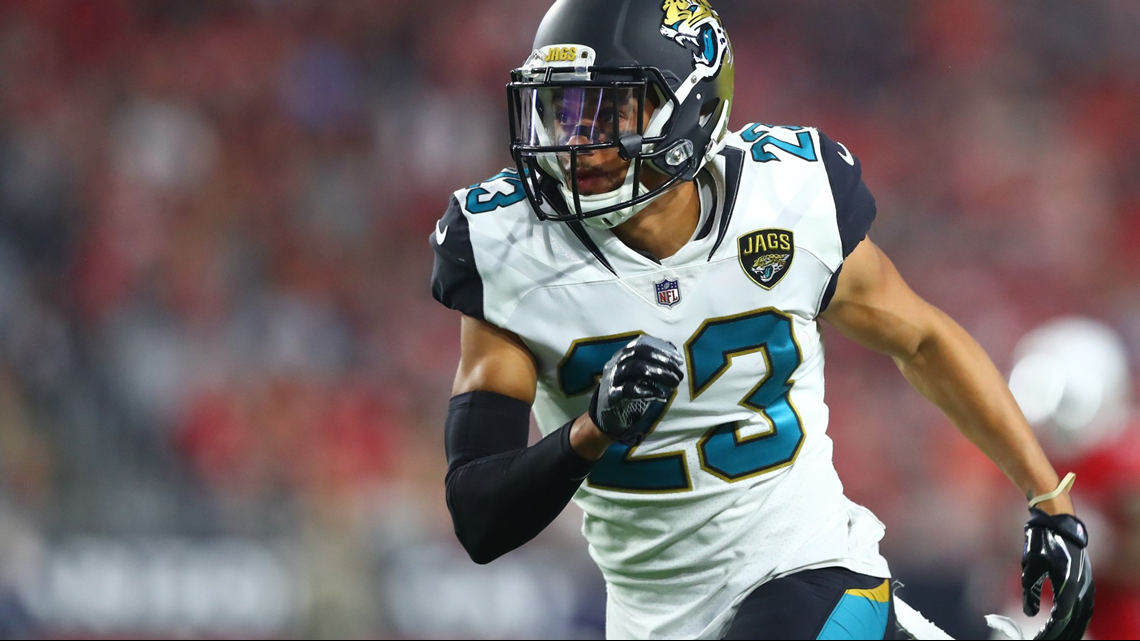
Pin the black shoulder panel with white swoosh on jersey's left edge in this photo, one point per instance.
(455, 280)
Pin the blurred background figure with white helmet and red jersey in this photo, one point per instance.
(1073, 383)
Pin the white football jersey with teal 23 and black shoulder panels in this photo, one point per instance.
(736, 483)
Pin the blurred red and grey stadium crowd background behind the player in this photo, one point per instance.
(223, 379)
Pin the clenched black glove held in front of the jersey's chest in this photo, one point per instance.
(636, 387)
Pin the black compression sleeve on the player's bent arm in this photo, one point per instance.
(500, 492)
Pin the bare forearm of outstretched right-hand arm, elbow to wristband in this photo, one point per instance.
(952, 370)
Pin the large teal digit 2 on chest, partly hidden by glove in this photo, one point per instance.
(620, 468)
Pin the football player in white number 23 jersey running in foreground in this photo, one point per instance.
(650, 287)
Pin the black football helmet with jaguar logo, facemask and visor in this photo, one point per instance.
(615, 86)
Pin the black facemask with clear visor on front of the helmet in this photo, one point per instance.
(584, 144)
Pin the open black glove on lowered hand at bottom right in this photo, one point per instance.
(1055, 549)
